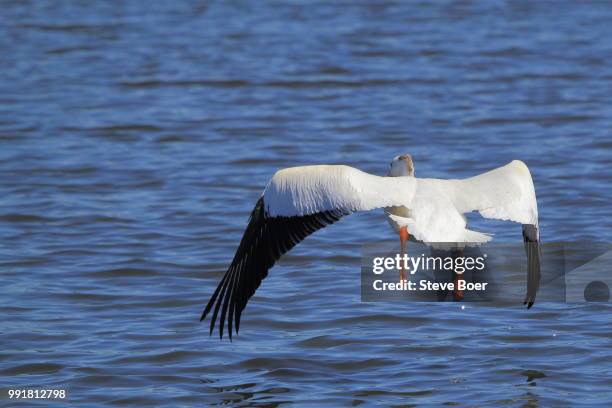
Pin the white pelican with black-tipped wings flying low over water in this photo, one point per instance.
(301, 200)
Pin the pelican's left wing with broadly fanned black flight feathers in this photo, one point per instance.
(297, 202)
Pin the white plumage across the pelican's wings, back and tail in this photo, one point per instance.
(432, 209)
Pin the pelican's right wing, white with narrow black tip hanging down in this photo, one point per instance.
(506, 193)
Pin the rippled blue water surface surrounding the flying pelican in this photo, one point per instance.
(135, 138)
